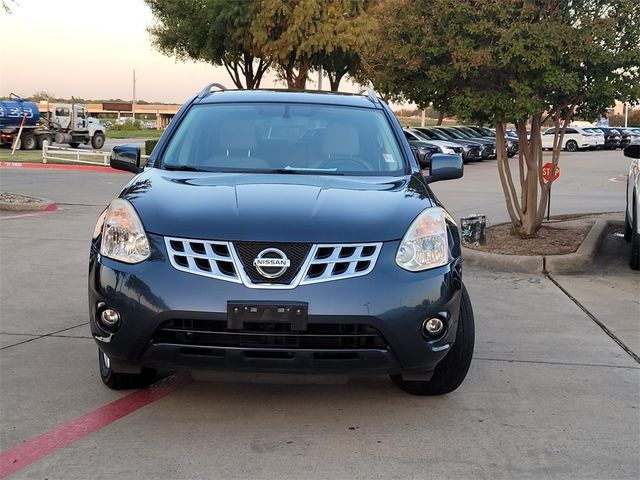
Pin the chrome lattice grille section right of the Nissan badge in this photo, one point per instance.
(332, 262)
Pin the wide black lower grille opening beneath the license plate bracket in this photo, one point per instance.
(264, 335)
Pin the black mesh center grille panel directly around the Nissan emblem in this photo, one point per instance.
(249, 251)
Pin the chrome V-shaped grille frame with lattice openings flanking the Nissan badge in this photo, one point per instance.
(331, 267)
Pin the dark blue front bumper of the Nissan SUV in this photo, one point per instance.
(388, 300)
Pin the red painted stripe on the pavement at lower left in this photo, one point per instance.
(38, 447)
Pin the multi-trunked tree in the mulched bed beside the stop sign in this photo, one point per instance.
(518, 61)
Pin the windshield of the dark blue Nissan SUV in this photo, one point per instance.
(284, 138)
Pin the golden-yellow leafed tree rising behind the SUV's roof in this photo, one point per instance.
(302, 34)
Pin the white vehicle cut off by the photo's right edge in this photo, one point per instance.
(632, 222)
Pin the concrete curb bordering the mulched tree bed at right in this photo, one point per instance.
(568, 263)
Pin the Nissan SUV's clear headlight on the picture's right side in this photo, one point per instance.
(425, 245)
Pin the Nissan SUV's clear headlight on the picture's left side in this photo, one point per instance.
(123, 236)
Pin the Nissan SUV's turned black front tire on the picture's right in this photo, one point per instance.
(452, 370)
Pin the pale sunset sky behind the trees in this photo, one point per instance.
(89, 49)
